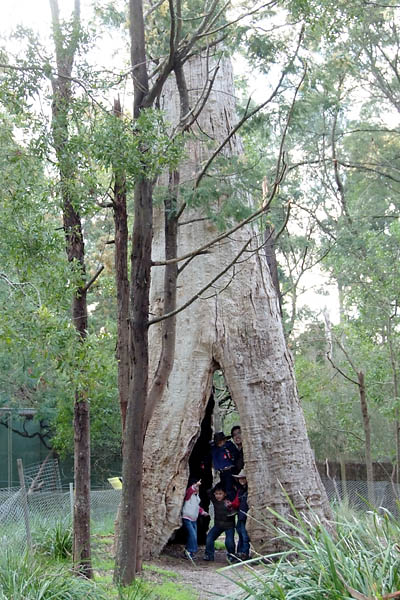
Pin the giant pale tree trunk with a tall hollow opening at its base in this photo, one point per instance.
(237, 327)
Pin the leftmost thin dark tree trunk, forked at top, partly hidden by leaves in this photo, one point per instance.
(66, 46)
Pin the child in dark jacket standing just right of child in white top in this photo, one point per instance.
(224, 522)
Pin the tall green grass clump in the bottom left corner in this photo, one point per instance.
(24, 578)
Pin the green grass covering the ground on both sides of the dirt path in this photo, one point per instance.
(358, 557)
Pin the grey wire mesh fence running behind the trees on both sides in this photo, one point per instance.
(46, 509)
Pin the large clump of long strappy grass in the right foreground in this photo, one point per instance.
(358, 556)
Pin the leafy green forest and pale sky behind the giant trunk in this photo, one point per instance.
(337, 211)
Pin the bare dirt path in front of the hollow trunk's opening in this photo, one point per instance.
(203, 577)
